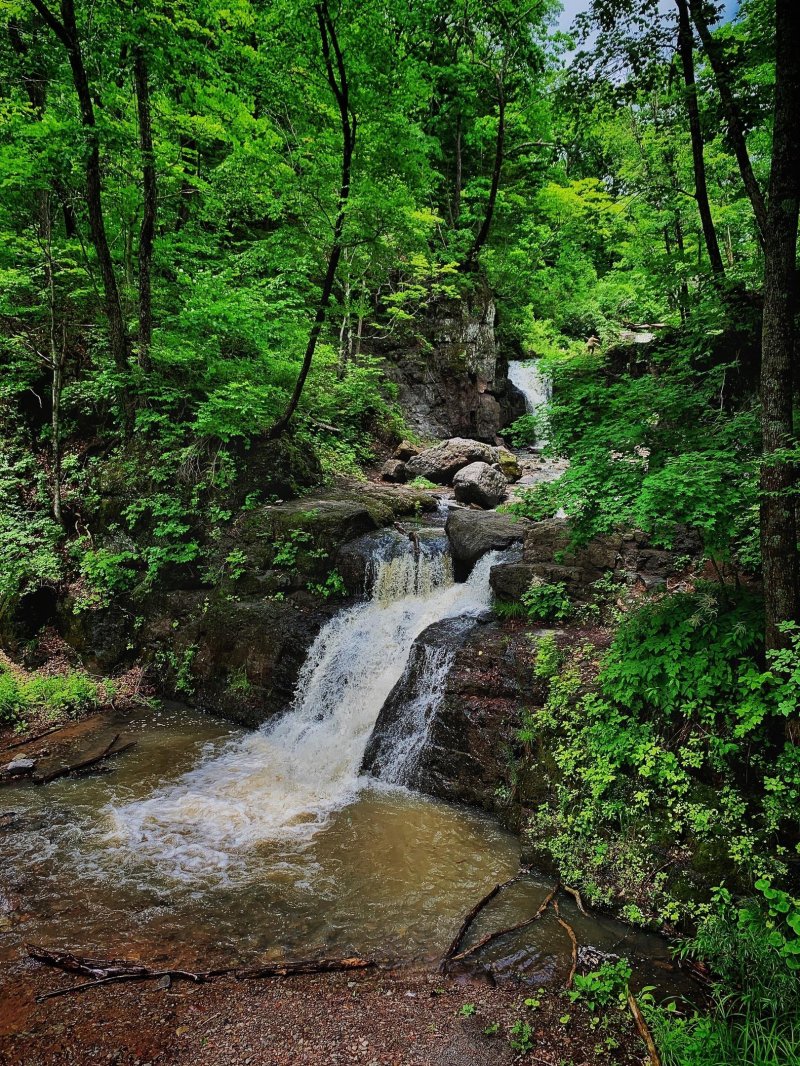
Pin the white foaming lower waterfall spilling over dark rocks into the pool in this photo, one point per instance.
(284, 782)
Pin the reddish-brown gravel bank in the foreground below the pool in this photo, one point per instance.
(401, 1017)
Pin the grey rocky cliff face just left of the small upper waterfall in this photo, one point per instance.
(452, 376)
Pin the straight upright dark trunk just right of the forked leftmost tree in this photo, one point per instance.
(148, 232)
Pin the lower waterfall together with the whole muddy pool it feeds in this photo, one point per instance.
(207, 846)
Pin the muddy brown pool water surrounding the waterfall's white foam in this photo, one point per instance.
(390, 876)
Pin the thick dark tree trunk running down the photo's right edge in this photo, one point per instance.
(778, 521)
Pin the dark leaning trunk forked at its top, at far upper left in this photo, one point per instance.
(67, 31)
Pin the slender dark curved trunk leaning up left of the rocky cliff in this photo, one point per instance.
(339, 82)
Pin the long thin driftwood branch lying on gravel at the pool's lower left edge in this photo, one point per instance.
(108, 972)
